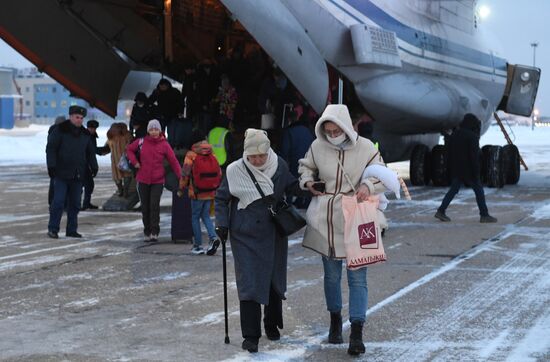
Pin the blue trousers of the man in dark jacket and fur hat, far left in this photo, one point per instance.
(69, 192)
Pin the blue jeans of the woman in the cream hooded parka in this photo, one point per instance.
(358, 291)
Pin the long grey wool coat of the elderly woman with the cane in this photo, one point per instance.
(259, 251)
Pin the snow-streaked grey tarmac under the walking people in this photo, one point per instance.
(448, 292)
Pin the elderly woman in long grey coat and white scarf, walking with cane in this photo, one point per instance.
(259, 250)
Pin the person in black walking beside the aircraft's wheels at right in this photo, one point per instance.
(463, 149)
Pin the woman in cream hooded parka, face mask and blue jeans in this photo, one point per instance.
(338, 158)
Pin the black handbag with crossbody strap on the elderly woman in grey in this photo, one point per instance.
(286, 217)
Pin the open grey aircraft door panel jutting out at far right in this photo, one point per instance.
(521, 90)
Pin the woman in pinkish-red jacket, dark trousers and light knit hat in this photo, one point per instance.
(153, 150)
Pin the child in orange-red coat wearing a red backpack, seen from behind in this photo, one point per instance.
(201, 175)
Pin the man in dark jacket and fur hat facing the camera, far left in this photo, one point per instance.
(69, 152)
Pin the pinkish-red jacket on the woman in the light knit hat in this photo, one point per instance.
(151, 159)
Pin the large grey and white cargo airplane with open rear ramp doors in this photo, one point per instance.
(416, 66)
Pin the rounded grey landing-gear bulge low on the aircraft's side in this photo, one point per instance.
(409, 103)
